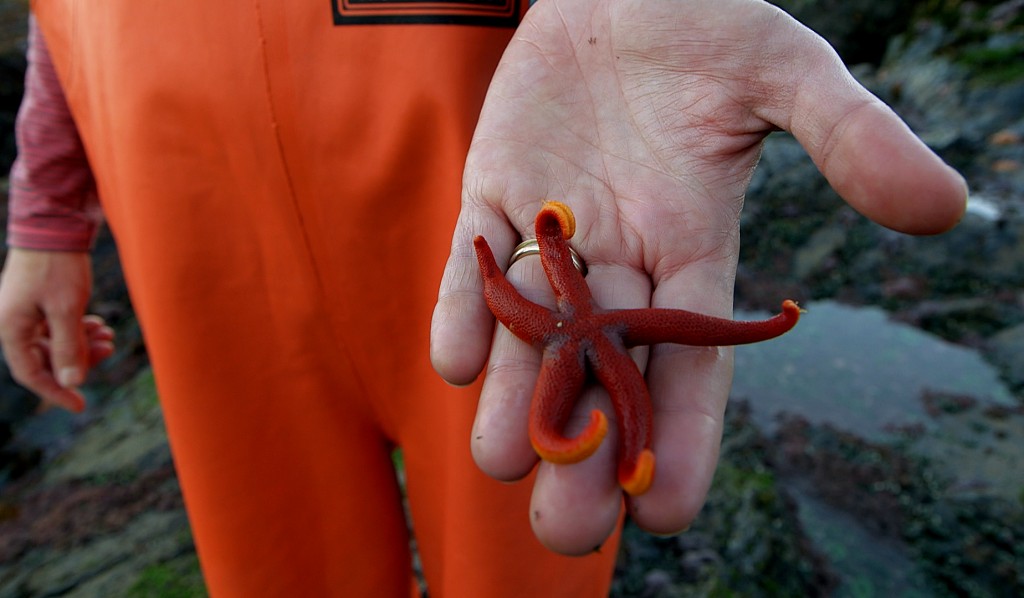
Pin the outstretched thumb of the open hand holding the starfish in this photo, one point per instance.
(869, 155)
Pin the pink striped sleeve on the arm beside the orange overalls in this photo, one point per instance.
(54, 204)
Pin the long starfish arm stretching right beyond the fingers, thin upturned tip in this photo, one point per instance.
(649, 327)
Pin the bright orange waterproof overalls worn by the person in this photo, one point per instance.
(282, 178)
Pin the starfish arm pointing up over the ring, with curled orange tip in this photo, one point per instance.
(556, 226)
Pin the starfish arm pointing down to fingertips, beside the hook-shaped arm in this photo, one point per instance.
(621, 377)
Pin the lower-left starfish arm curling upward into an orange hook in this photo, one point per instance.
(561, 381)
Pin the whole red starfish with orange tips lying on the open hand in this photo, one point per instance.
(579, 333)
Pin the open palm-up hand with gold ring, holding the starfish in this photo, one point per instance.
(648, 118)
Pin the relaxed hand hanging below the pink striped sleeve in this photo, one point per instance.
(48, 343)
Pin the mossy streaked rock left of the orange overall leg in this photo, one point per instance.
(105, 517)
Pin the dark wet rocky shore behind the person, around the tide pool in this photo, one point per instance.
(90, 506)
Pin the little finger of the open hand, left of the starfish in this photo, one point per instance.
(461, 327)
